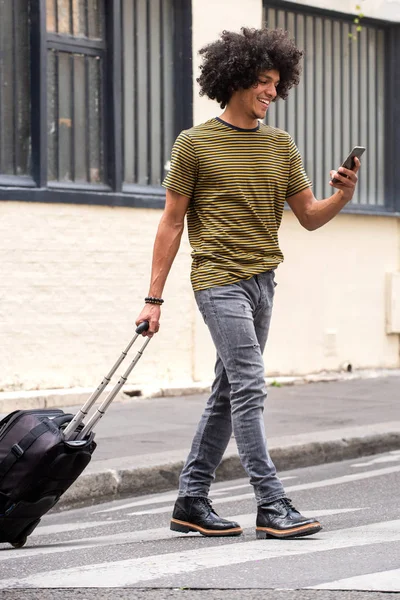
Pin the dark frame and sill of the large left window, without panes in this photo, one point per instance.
(113, 193)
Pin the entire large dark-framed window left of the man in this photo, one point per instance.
(87, 106)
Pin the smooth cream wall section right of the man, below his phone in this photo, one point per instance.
(336, 279)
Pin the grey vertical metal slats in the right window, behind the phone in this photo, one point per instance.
(340, 100)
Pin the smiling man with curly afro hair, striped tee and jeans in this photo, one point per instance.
(231, 177)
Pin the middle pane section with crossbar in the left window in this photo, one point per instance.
(75, 78)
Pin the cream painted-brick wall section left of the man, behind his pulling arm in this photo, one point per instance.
(73, 279)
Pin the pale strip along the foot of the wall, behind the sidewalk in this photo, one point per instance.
(59, 398)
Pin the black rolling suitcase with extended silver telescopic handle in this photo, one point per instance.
(42, 453)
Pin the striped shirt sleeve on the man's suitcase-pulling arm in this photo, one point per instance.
(182, 175)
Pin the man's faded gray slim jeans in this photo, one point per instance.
(238, 317)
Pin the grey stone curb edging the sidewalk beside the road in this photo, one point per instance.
(94, 488)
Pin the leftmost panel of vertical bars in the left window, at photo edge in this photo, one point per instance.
(15, 131)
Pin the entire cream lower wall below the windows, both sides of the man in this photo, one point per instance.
(74, 277)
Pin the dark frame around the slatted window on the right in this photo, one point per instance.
(392, 108)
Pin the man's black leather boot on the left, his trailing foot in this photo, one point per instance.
(197, 514)
